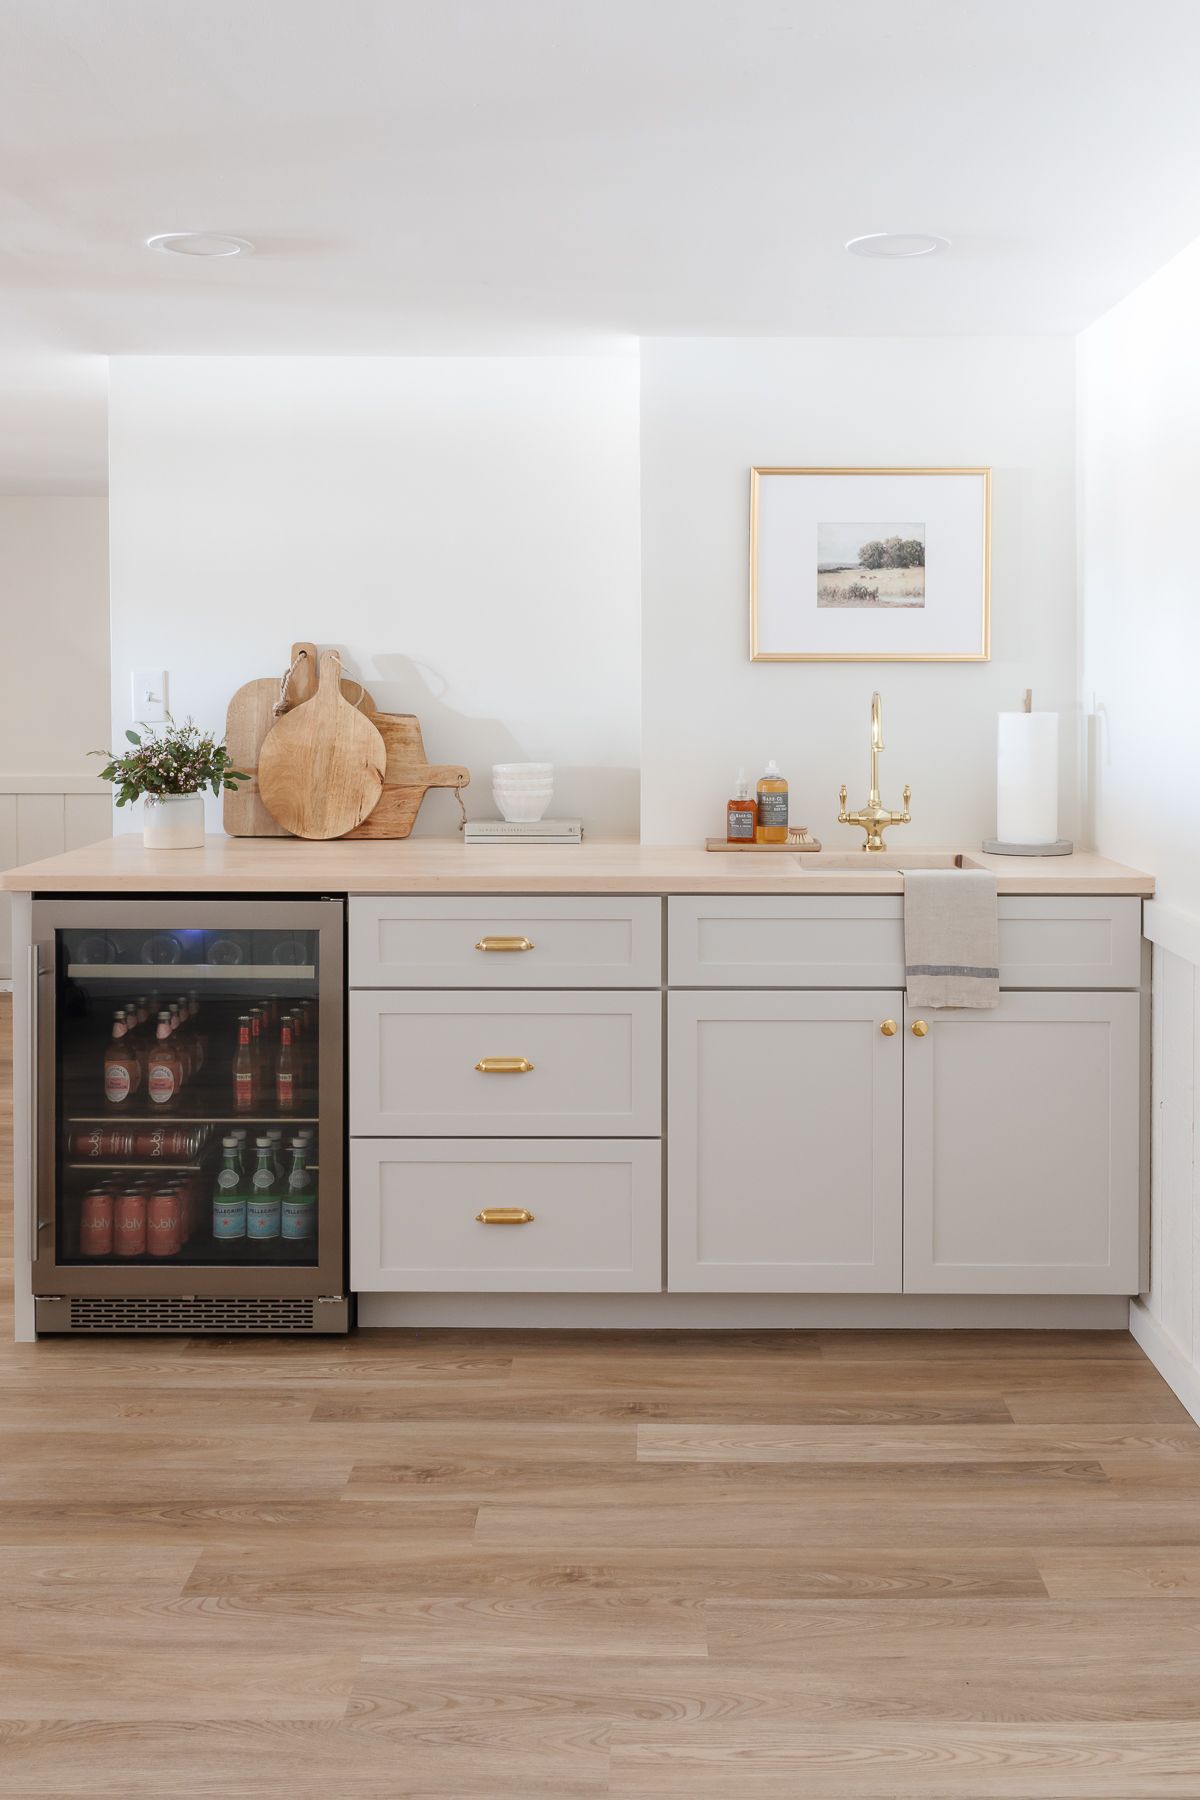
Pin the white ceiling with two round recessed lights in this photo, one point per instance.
(492, 175)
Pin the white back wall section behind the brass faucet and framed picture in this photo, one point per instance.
(712, 409)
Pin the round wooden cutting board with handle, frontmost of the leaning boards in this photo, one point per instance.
(321, 769)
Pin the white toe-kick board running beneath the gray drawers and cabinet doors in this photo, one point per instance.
(751, 1311)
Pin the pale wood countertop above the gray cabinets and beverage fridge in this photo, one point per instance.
(440, 865)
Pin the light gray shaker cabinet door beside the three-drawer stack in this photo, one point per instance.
(785, 1142)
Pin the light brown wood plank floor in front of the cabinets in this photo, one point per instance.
(481, 1565)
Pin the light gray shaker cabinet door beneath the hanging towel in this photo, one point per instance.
(1023, 1147)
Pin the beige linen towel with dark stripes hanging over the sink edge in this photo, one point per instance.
(953, 949)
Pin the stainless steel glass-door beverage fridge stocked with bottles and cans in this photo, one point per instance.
(190, 1095)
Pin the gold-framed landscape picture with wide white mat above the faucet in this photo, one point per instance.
(870, 564)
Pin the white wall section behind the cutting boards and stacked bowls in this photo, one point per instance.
(465, 528)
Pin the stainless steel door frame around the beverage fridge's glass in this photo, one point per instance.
(327, 1277)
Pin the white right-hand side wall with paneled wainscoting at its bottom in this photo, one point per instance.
(1140, 618)
